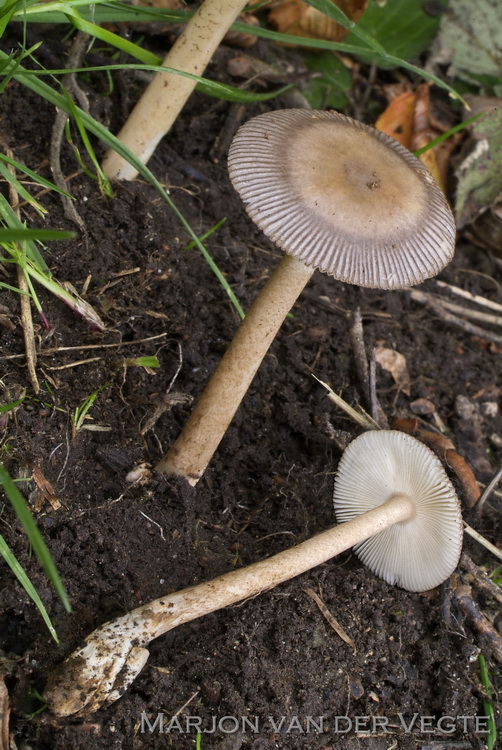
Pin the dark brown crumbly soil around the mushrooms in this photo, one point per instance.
(268, 487)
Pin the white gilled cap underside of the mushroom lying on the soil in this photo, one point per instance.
(424, 551)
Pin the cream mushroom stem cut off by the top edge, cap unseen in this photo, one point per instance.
(167, 93)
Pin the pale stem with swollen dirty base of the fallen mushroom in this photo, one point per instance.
(114, 654)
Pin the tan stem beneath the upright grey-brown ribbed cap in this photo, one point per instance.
(194, 448)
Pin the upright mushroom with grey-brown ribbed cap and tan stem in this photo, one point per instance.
(335, 195)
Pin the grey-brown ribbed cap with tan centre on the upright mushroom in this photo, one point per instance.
(342, 197)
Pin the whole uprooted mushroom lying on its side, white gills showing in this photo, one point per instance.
(398, 498)
